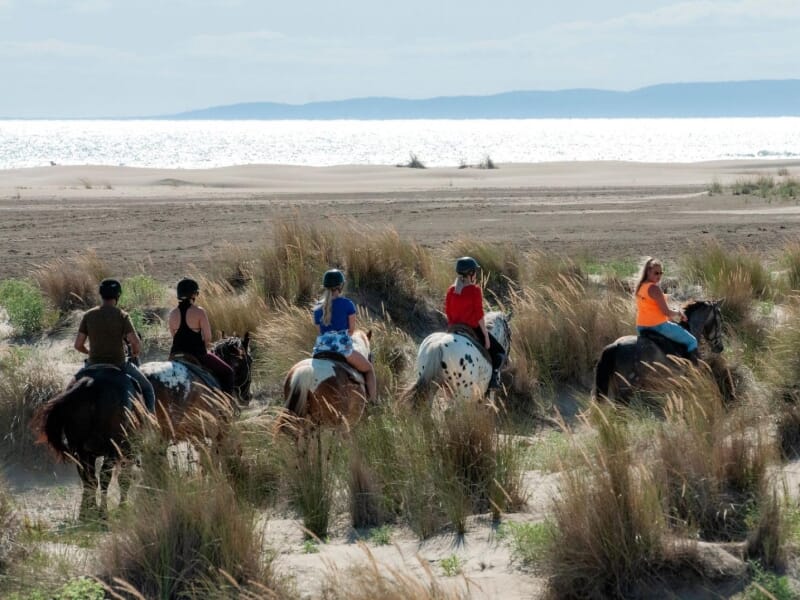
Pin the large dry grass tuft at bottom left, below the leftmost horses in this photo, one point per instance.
(190, 538)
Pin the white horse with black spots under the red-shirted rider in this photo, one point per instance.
(454, 363)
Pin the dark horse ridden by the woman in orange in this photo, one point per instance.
(625, 364)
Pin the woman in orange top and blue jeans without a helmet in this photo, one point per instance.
(653, 313)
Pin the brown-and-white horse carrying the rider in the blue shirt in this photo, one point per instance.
(328, 390)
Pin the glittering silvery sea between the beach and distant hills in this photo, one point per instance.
(200, 144)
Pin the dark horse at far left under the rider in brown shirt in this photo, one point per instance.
(92, 419)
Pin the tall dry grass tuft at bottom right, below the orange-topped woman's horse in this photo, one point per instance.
(610, 531)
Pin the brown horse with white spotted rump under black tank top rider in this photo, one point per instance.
(190, 406)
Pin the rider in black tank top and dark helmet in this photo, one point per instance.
(191, 334)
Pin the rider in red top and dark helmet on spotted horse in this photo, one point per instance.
(463, 305)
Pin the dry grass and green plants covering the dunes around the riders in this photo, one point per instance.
(643, 489)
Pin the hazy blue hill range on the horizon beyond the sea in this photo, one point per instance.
(768, 98)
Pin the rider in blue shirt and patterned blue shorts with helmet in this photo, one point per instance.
(336, 317)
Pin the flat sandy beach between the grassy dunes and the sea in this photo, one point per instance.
(163, 221)
